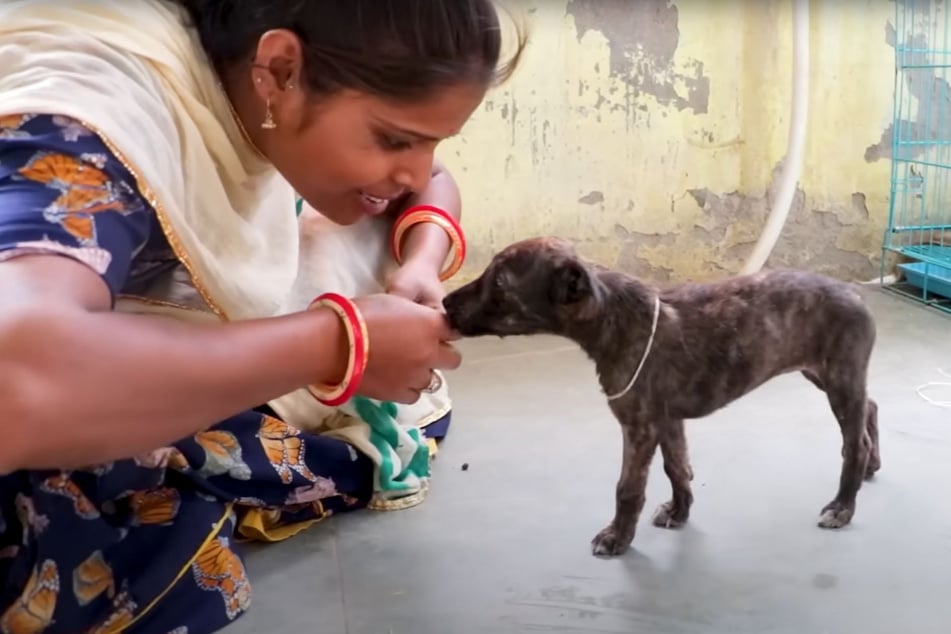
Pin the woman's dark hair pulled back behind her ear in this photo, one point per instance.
(398, 49)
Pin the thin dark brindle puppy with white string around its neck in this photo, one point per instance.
(698, 347)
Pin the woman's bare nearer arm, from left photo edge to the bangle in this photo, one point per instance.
(80, 387)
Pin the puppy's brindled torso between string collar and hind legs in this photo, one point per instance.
(721, 340)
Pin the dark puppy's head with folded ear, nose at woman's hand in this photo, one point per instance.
(534, 286)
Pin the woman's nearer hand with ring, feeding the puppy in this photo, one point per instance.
(407, 342)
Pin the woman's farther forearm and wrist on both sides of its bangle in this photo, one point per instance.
(426, 242)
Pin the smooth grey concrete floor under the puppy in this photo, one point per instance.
(503, 547)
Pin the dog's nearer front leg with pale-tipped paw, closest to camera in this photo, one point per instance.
(640, 443)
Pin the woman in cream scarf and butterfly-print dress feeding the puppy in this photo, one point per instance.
(156, 345)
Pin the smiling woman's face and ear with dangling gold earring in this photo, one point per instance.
(350, 154)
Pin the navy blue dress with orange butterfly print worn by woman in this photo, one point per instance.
(114, 547)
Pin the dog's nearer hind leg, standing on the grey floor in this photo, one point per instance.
(847, 397)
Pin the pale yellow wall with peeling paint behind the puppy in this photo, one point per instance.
(651, 132)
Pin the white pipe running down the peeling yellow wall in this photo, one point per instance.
(792, 167)
